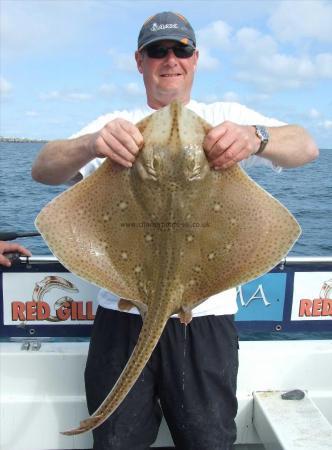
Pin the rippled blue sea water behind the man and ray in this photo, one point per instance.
(306, 191)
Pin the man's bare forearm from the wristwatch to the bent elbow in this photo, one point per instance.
(290, 146)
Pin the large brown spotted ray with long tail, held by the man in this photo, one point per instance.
(165, 234)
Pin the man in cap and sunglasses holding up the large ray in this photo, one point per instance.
(193, 369)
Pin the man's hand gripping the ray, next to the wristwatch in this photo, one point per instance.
(229, 143)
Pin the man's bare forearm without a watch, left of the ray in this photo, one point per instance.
(60, 161)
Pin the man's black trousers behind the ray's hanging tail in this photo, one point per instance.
(192, 372)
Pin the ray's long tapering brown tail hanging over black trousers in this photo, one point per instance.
(153, 325)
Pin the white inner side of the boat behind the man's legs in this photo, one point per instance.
(42, 389)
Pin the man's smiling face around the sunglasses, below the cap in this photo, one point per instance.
(168, 78)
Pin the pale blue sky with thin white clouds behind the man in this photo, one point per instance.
(66, 62)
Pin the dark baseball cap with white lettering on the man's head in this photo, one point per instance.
(166, 25)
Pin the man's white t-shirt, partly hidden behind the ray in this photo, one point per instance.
(214, 113)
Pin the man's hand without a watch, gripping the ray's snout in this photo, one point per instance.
(119, 140)
